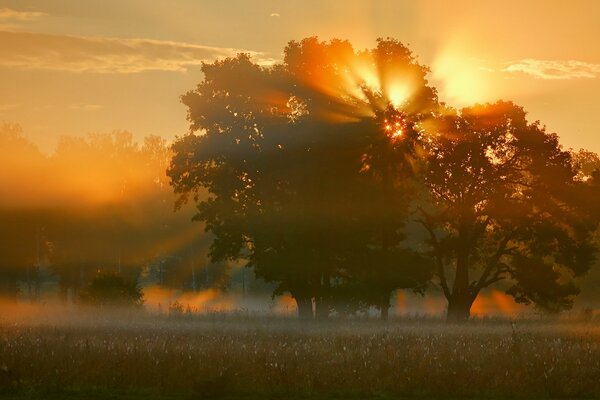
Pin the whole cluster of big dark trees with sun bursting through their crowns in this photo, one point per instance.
(341, 177)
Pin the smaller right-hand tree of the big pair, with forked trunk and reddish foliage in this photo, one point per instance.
(507, 208)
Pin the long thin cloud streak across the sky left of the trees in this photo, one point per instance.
(105, 55)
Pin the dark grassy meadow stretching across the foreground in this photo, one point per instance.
(162, 358)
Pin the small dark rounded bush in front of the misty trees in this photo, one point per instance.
(109, 289)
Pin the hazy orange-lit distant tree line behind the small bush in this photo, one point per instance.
(96, 212)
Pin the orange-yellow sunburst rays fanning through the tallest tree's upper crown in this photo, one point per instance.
(356, 83)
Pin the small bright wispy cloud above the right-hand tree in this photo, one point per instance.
(554, 69)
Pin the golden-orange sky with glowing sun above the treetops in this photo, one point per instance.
(72, 67)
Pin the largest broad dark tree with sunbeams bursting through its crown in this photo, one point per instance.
(307, 164)
